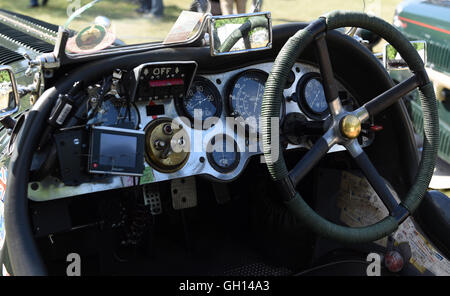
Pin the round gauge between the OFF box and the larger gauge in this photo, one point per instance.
(202, 101)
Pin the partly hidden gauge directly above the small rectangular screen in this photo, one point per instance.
(115, 112)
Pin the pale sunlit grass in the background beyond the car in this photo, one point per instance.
(131, 27)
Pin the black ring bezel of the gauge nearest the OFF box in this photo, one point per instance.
(181, 108)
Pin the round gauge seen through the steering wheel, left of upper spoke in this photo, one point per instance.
(311, 96)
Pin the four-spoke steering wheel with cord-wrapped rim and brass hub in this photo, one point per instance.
(346, 126)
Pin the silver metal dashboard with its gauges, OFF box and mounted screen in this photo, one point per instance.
(190, 123)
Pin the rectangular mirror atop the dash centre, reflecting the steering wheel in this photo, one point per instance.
(233, 34)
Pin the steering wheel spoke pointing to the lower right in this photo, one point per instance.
(376, 181)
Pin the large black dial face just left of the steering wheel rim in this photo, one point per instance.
(245, 97)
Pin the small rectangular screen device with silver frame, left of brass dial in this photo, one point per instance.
(116, 151)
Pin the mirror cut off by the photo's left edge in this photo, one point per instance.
(9, 97)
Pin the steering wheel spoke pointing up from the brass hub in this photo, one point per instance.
(326, 71)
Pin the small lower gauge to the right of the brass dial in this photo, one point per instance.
(223, 153)
